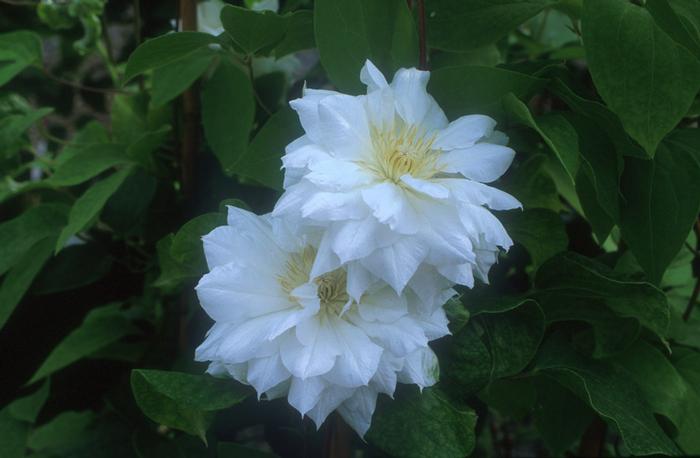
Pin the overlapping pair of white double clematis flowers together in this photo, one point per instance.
(334, 297)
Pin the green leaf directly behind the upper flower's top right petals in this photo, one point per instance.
(474, 89)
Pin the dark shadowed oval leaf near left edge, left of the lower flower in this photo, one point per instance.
(74, 267)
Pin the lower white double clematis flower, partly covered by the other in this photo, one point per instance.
(288, 333)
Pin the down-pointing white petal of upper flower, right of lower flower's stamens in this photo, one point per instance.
(397, 263)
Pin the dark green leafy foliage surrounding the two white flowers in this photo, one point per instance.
(122, 141)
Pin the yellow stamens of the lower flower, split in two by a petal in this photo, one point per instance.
(332, 286)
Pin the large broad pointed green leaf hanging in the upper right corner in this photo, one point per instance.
(645, 77)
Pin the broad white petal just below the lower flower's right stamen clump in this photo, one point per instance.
(359, 356)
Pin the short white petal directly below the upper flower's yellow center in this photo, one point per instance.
(391, 206)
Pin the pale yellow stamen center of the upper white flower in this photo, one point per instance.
(403, 150)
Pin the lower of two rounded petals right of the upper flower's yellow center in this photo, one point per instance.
(483, 162)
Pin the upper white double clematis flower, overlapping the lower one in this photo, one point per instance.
(397, 189)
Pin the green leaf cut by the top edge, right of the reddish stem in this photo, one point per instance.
(458, 25)
